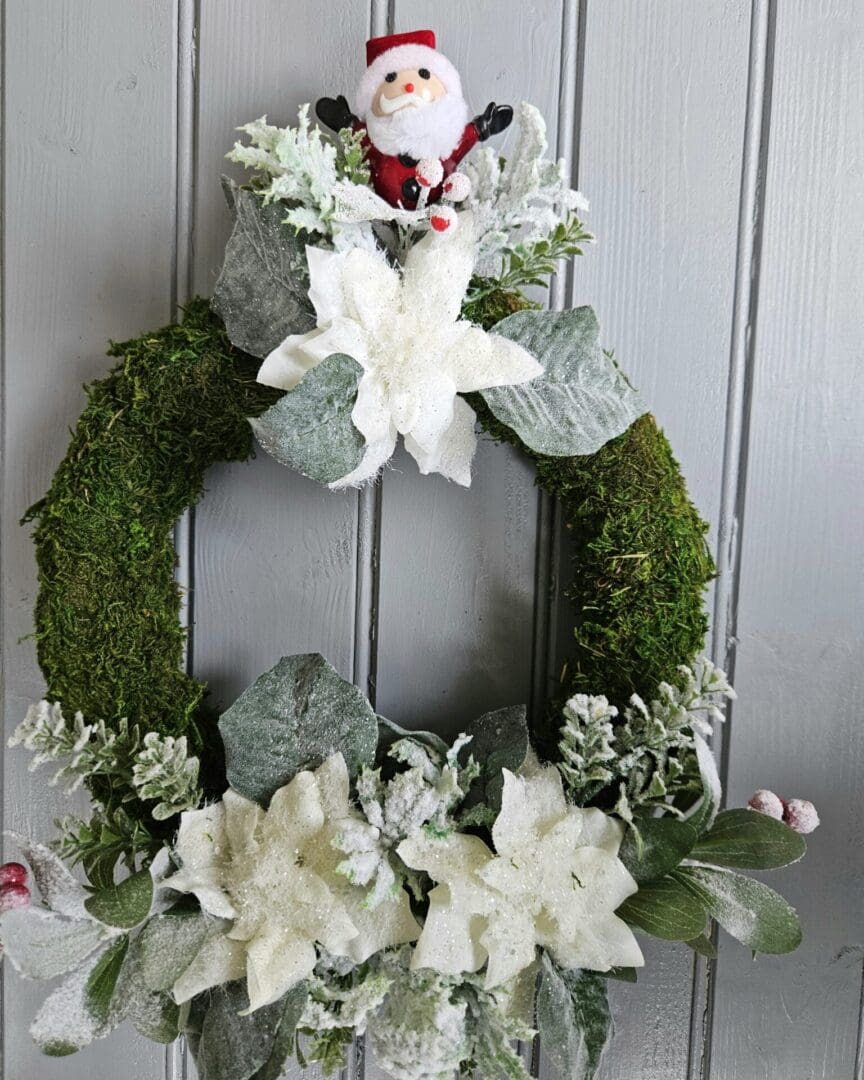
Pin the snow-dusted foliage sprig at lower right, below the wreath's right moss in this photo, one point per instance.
(645, 755)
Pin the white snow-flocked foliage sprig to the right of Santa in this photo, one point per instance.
(525, 212)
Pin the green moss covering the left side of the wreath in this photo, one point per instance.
(109, 638)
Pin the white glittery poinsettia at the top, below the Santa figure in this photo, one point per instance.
(417, 355)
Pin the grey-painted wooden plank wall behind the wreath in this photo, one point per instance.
(722, 146)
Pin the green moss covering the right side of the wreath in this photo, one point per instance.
(640, 562)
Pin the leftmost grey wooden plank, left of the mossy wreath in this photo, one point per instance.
(89, 199)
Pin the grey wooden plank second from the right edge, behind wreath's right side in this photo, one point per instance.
(660, 159)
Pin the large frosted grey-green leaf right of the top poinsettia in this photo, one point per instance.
(582, 400)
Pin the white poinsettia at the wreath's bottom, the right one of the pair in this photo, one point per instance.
(555, 881)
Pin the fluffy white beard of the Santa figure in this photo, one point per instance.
(431, 131)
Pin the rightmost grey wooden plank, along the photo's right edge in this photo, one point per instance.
(798, 726)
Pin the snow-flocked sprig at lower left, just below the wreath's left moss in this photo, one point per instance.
(154, 767)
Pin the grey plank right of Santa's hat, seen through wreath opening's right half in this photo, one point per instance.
(456, 613)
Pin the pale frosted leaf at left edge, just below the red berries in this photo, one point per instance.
(43, 946)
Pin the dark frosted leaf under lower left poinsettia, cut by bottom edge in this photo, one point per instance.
(240, 1048)
